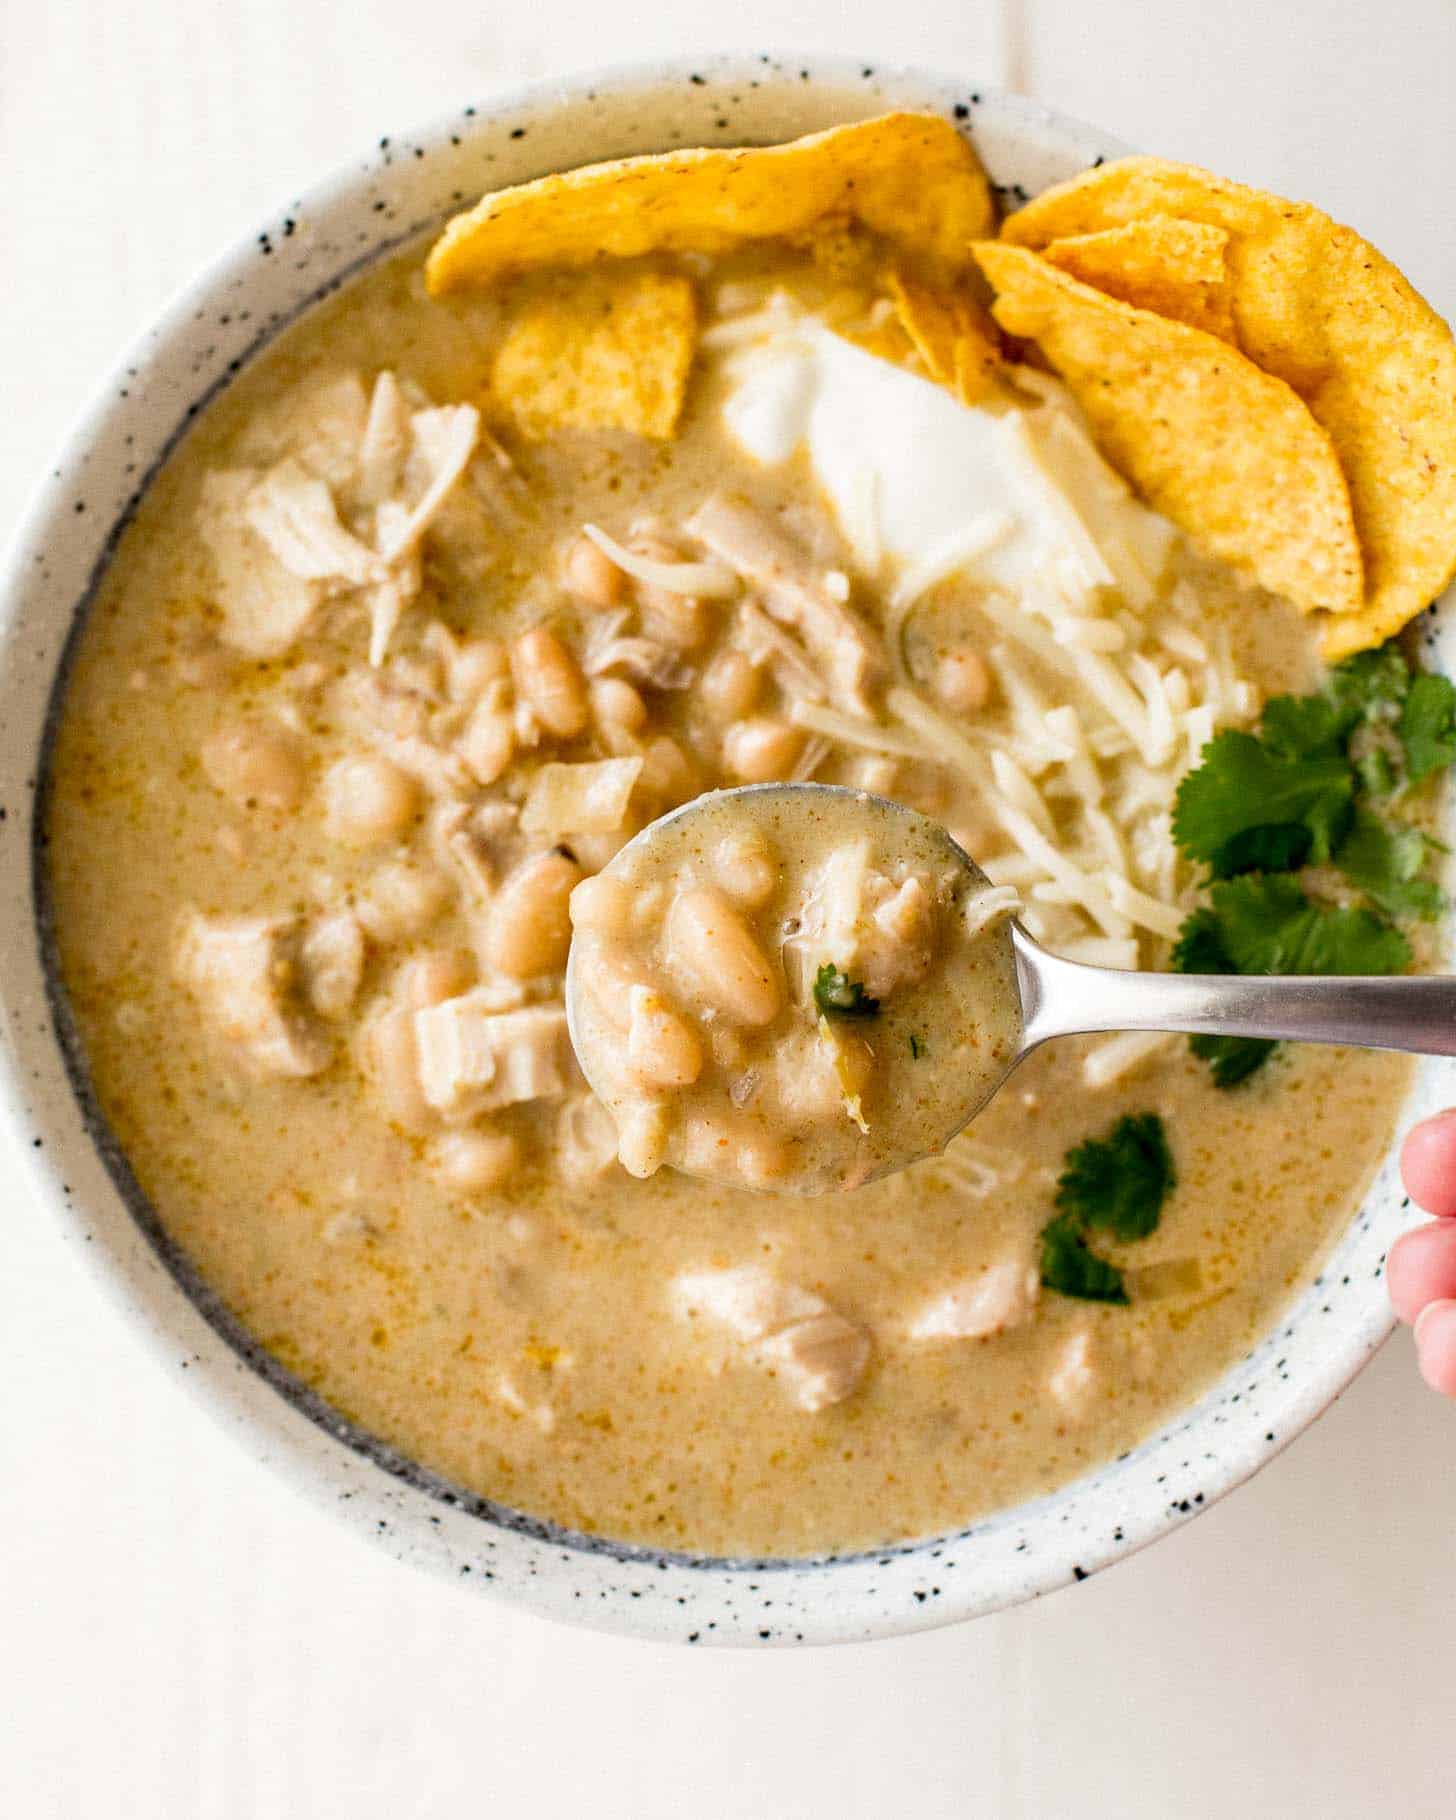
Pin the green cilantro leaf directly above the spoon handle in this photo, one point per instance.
(1268, 925)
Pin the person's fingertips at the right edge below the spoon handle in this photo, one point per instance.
(1421, 1271)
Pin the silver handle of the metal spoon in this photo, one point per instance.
(1064, 998)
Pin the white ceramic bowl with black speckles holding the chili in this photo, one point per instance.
(81, 1178)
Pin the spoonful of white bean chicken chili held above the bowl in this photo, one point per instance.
(791, 989)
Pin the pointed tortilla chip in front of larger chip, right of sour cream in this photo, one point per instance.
(1228, 452)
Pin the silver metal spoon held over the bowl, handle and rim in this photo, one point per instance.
(1066, 998)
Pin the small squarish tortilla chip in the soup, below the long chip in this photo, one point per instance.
(600, 352)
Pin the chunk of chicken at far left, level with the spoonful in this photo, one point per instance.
(247, 976)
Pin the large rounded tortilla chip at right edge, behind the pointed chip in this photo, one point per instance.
(1320, 308)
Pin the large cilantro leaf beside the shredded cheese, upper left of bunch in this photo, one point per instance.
(1244, 789)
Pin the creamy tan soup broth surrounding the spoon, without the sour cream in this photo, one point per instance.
(478, 1280)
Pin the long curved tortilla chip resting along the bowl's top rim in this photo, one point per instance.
(905, 176)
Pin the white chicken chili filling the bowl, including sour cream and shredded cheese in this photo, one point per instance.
(381, 682)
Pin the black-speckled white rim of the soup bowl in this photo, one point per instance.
(1004, 1559)
